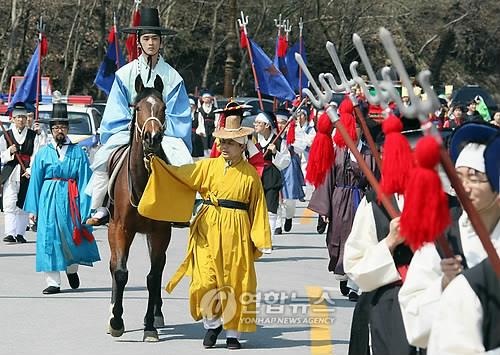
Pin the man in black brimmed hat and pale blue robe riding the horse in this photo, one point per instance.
(114, 130)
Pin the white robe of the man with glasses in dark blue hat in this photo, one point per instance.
(419, 297)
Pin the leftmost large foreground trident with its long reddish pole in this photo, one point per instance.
(322, 101)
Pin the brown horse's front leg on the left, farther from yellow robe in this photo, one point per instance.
(119, 243)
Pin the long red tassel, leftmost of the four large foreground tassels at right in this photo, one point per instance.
(322, 154)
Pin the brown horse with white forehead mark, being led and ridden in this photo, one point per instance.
(146, 134)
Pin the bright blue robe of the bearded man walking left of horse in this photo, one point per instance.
(48, 200)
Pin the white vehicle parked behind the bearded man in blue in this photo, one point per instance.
(83, 131)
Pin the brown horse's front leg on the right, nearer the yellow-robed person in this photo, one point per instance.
(157, 243)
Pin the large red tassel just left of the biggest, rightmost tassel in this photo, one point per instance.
(397, 160)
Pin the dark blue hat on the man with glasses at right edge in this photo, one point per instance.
(471, 132)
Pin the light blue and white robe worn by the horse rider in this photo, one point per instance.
(118, 113)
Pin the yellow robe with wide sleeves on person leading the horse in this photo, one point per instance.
(223, 242)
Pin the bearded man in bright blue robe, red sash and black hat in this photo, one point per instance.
(59, 175)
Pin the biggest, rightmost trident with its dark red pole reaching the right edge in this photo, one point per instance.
(421, 109)
